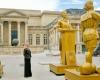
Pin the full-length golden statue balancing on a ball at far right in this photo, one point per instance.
(89, 22)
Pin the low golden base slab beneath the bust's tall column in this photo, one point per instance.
(59, 69)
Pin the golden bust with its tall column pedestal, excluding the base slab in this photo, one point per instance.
(67, 40)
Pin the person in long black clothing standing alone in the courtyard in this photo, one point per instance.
(27, 62)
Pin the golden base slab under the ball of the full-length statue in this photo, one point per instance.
(72, 74)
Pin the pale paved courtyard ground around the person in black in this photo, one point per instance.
(14, 69)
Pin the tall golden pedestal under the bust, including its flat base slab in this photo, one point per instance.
(68, 55)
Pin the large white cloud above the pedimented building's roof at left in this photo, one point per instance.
(30, 4)
